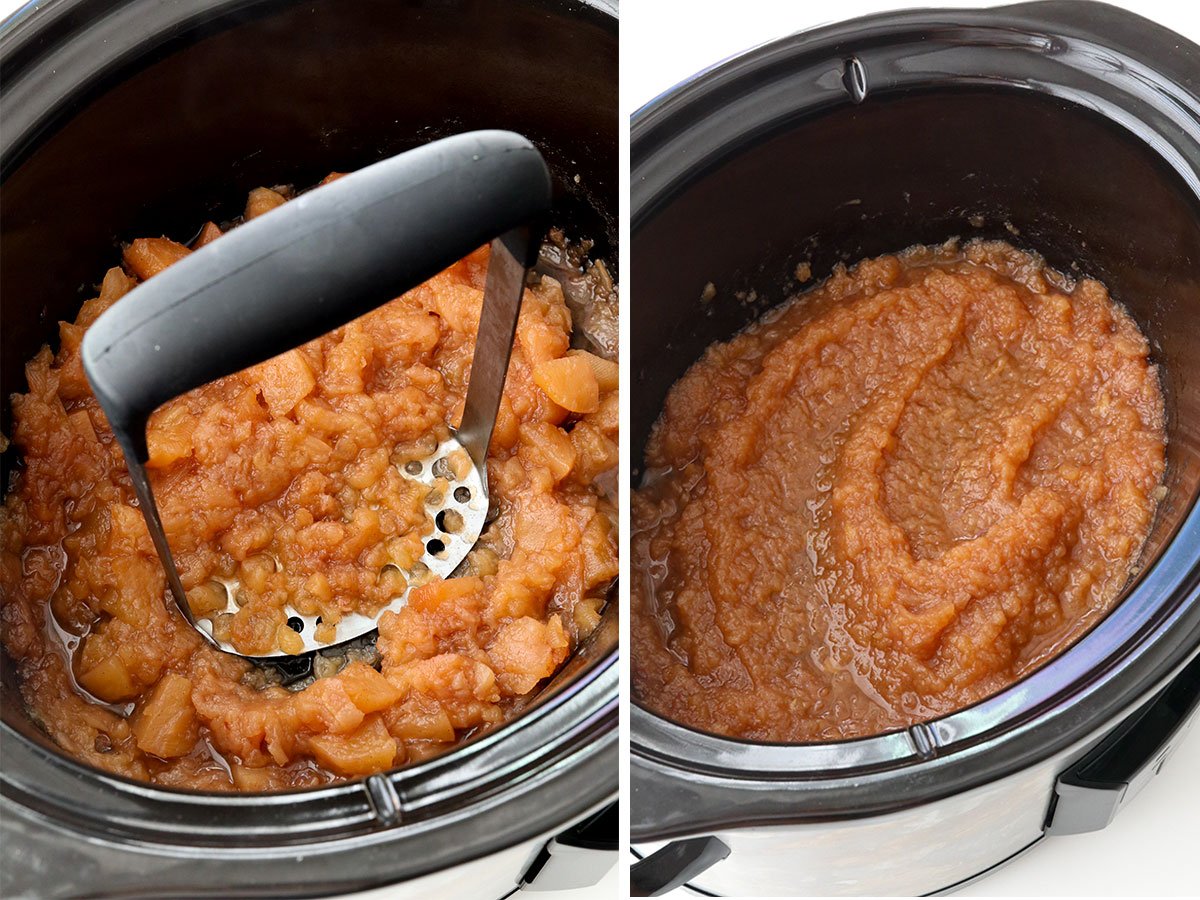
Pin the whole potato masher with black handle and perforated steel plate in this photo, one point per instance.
(311, 266)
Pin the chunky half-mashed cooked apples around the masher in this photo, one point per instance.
(286, 481)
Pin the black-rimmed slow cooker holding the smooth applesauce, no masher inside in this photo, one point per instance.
(1071, 129)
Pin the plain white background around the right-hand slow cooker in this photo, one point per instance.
(1154, 847)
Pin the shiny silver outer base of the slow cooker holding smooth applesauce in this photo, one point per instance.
(943, 847)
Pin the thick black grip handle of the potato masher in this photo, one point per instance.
(316, 263)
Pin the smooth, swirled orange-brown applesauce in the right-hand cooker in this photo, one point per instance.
(892, 497)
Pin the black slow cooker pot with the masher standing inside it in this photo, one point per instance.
(139, 117)
